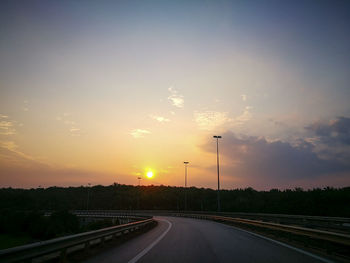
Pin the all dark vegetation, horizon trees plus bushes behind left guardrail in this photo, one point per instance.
(22, 217)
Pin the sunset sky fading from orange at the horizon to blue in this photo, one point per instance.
(105, 91)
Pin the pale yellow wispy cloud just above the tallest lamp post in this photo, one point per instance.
(209, 120)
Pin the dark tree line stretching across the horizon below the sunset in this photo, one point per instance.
(323, 202)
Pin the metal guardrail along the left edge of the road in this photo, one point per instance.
(60, 247)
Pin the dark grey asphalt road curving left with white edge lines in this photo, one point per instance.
(190, 240)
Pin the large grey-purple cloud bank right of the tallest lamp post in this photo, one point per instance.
(260, 163)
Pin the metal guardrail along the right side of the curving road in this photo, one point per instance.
(329, 241)
